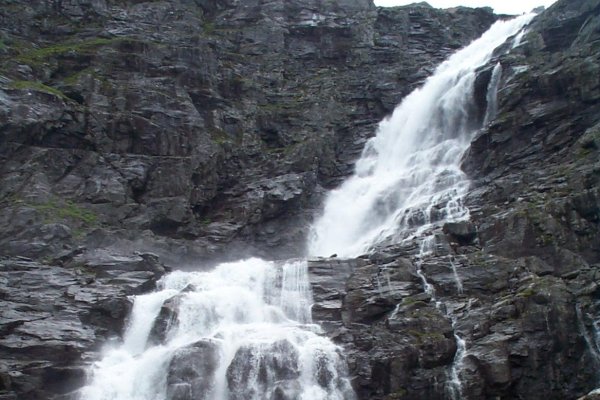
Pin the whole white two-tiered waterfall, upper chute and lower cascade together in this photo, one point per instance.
(243, 331)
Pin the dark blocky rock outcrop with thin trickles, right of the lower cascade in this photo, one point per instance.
(517, 321)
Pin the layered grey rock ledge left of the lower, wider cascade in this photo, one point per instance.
(56, 315)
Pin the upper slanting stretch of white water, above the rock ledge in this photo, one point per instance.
(408, 179)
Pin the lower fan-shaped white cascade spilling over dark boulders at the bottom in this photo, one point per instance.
(257, 313)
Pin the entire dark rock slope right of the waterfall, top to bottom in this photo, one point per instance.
(519, 282)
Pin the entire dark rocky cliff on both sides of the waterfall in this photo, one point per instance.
(200, 130)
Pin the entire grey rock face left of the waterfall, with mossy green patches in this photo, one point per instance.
(195, 129)
